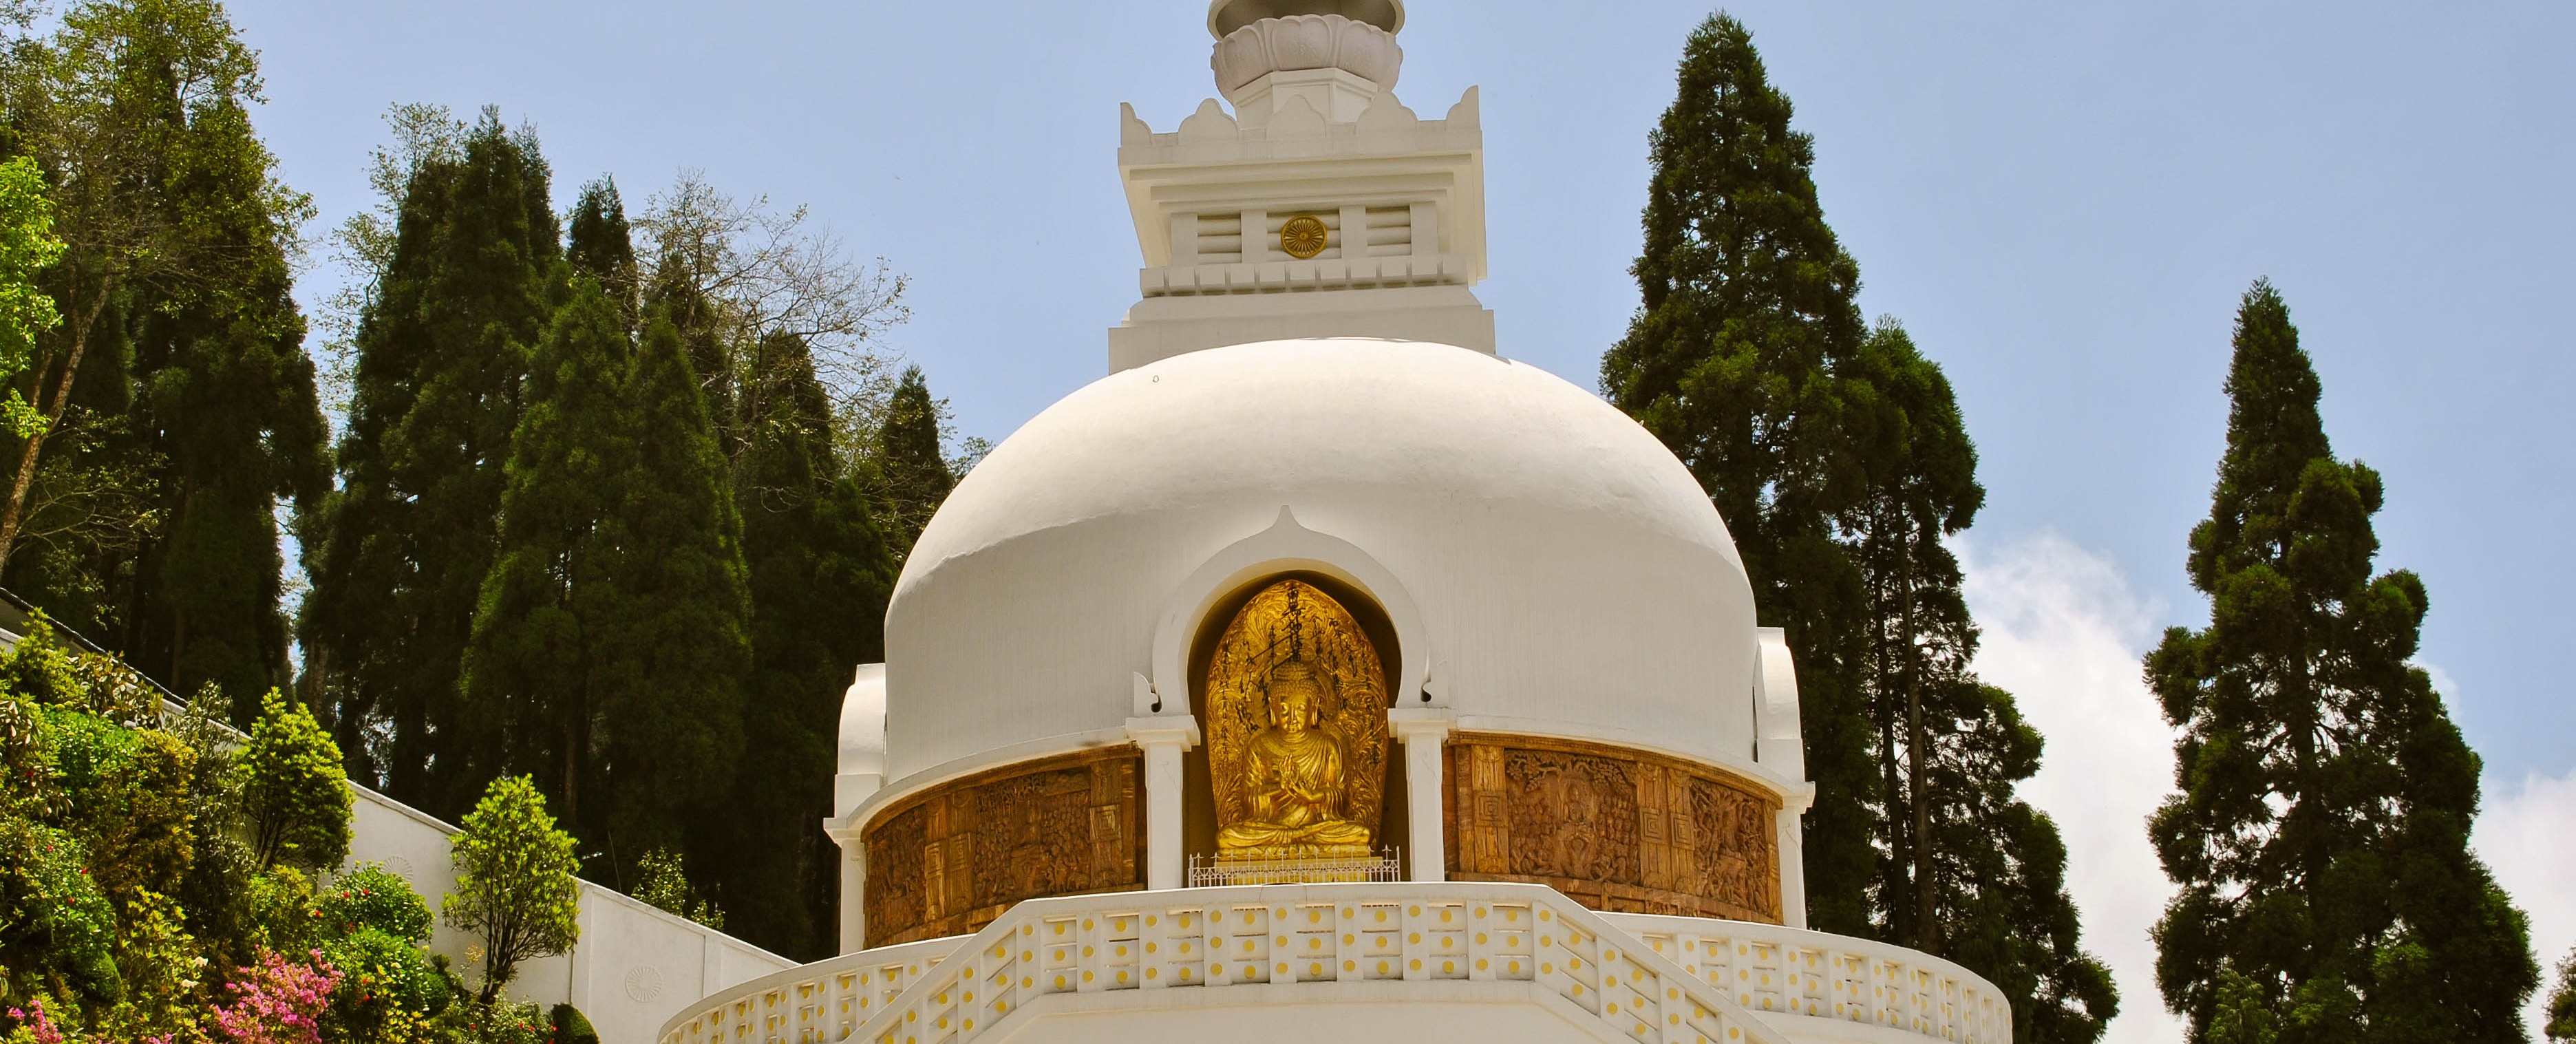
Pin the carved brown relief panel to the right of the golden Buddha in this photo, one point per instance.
(1611, 829)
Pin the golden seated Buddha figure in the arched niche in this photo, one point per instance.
(1292, 780)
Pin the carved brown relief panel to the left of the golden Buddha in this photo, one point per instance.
(952, 860)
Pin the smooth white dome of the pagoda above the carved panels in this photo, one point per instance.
(1547, 563)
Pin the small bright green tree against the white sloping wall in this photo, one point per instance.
(514, 880)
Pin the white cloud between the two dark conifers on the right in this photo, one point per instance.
(2067, 635)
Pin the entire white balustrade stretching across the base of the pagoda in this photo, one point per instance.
(1650, 978)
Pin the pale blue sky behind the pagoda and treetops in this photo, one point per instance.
(2060, 200)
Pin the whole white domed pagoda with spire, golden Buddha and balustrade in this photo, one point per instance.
(1323, 674)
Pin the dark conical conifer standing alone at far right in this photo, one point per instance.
(2320, 836)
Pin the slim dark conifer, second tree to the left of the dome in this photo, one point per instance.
(820, 576)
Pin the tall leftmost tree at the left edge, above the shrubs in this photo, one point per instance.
(176, 401)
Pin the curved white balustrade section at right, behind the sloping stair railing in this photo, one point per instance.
(1823, 976)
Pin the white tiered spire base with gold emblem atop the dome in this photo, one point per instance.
(1320, 208)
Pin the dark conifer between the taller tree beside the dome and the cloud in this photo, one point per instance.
(1964, 867)
